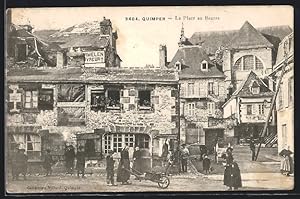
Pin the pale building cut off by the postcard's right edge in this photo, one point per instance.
(285, 98)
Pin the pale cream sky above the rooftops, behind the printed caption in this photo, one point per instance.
(139, 40)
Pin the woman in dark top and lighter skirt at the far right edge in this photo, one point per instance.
(286, 161)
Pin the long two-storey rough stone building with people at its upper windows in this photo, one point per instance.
(100, 108)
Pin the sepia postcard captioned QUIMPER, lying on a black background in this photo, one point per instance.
(149, 99)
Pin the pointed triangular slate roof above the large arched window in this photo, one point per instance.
(249, 37)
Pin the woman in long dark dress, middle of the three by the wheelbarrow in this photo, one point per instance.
(123, 174)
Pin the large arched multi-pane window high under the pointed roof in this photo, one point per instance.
(248, 62)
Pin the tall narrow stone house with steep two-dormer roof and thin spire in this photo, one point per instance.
(202, 93)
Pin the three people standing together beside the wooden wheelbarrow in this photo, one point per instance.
(124, 170)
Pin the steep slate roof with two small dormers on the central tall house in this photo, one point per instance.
(191, 58)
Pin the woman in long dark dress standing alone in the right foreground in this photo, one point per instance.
(232, 174)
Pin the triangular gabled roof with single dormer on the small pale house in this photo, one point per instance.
(253, 79)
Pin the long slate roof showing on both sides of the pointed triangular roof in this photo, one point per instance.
(212, 40)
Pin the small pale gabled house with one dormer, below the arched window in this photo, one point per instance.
(249, 106)
